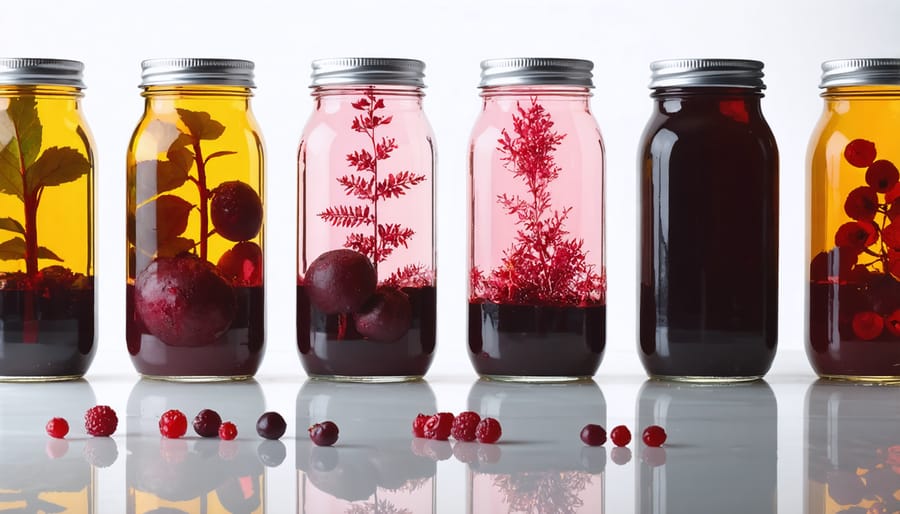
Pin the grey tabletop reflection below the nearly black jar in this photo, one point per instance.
(721, 454)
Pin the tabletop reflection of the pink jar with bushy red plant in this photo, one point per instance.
(538, 466)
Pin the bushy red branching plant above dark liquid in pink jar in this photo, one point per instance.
(543, 265)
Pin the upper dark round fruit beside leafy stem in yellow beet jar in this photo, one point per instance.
(236, 211)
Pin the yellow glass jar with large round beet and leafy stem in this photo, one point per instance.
(195, 223)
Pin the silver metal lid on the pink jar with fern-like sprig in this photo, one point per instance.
(368, 70)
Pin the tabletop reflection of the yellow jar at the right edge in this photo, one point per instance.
(852, 449)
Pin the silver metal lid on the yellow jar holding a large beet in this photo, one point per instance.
(199, 72)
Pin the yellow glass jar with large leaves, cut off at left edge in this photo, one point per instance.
(47, 304)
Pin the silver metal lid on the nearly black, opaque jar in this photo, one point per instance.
(706, 73)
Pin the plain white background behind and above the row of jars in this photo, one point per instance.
(792, 38)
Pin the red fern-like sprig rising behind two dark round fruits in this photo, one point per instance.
(380, 240)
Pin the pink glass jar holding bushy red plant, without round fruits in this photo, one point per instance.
(537, 291)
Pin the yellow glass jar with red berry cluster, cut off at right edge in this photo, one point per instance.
(854, 266)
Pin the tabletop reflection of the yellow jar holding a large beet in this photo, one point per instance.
(191, 474)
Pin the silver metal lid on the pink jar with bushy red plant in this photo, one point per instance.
(536, 71)
